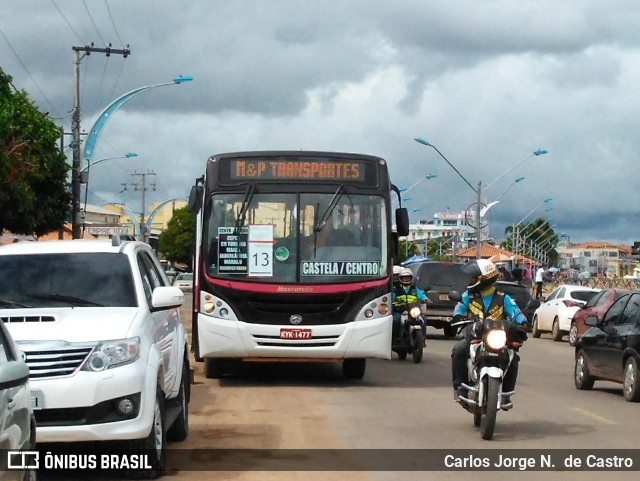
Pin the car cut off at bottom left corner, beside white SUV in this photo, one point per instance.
(17, 422)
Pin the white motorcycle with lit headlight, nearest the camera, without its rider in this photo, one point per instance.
(491, 354)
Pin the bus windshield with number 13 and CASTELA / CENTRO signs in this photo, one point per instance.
(307, 238)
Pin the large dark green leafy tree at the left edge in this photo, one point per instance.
(34, 198)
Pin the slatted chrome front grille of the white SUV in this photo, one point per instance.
(55, 359)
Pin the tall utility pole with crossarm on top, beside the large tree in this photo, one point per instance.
(78, 54)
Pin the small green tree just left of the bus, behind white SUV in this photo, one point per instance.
(176, 241)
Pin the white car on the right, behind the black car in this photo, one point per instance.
(555, 313)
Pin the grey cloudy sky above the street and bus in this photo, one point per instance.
(486, 82)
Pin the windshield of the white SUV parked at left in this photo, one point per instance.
(61, 280)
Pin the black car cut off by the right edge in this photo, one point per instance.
(610, 349)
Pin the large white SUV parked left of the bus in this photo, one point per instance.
(107, 353)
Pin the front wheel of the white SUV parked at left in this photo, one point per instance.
(155, 443)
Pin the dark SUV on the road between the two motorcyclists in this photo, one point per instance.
(437, 279)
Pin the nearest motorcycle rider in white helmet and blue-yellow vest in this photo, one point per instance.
(481, 299)
